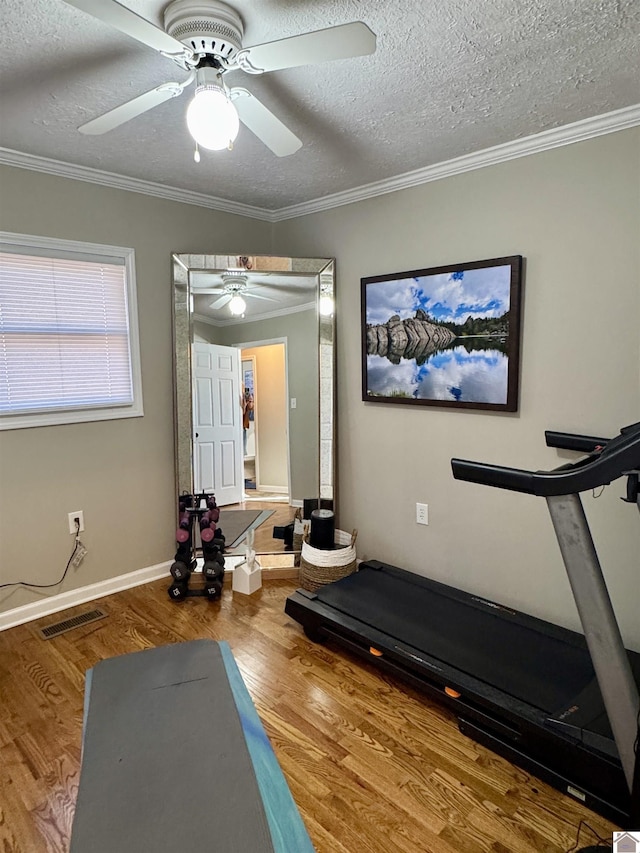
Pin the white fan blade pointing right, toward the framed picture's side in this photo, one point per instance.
(341, 42)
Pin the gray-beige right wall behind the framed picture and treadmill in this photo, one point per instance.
(574, 214)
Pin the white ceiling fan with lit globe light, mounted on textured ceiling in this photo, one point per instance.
(204, 37)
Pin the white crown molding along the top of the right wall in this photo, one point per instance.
(568, 134)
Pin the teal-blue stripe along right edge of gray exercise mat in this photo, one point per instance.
(288, 832)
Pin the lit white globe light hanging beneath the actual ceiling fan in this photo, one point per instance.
(211, 117)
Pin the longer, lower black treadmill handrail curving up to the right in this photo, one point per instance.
(619, 456)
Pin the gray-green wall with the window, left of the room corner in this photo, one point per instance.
(119, 472)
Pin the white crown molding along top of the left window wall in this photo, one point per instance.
(8, 157)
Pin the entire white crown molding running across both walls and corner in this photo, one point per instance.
(579, 131)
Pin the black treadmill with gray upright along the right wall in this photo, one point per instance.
(525, 688)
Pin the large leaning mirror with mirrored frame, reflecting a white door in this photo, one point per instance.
(254, 382)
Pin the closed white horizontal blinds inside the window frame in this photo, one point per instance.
(64, 333)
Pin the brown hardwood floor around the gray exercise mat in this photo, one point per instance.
(373, 766)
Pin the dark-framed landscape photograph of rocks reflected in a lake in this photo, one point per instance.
(445, 336)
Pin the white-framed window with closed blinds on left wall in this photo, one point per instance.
(68, 332)
